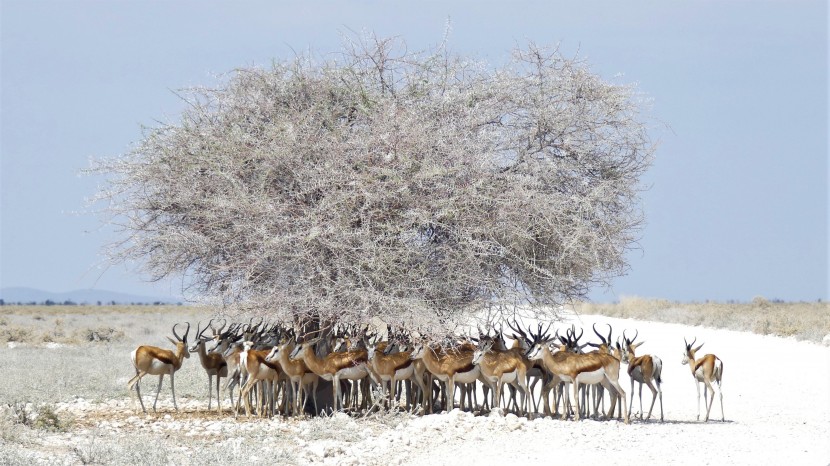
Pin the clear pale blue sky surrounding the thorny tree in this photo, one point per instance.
(738, 205)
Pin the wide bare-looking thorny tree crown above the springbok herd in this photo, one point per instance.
(416, 187)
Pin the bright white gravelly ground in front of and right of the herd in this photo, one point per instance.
(776, 400)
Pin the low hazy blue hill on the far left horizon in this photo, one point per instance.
(24, 295)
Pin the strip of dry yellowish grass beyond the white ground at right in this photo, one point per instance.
(802, 320)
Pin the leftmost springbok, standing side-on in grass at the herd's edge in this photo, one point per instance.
(157, 361)
